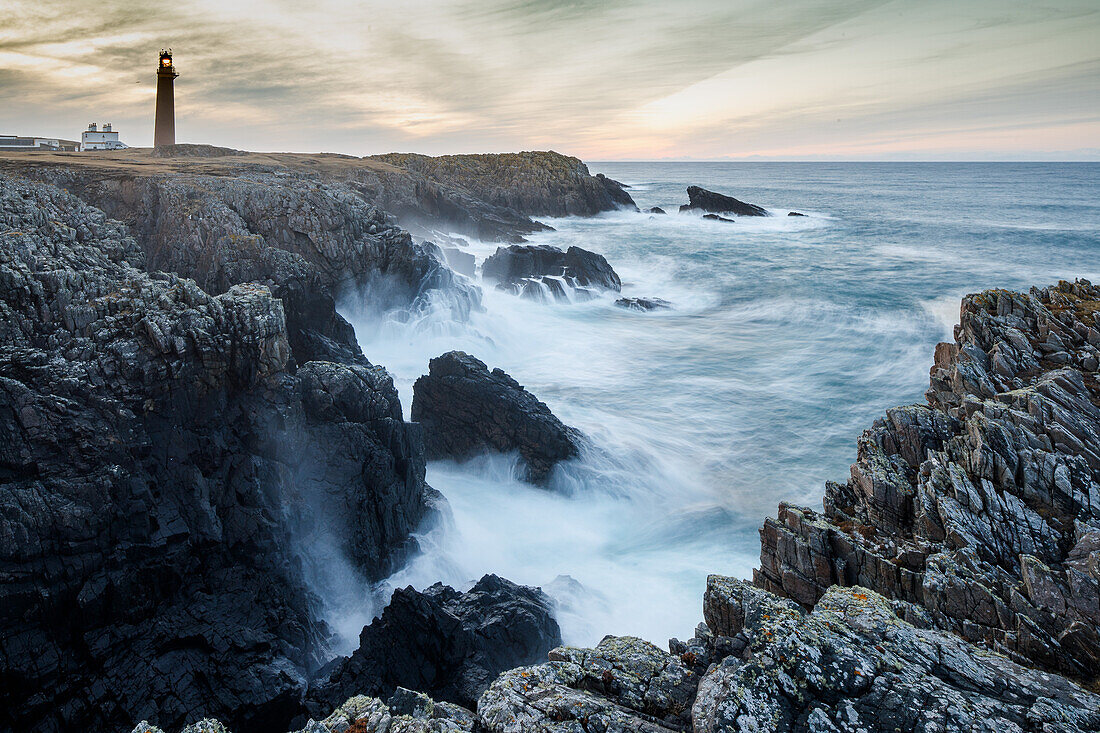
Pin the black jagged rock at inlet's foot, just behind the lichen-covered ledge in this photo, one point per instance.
(444, 643)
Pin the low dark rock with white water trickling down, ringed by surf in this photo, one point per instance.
(510, 266)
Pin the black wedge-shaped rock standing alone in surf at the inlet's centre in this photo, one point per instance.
(467, 410)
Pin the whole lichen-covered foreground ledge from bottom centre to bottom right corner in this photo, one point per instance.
(762, 663)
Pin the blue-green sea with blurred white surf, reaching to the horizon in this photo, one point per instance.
(789, 336)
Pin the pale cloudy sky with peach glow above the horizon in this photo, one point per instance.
(602, 80)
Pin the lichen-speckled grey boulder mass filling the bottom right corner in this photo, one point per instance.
(853, 665)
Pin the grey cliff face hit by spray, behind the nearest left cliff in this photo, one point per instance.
(309, 242)
